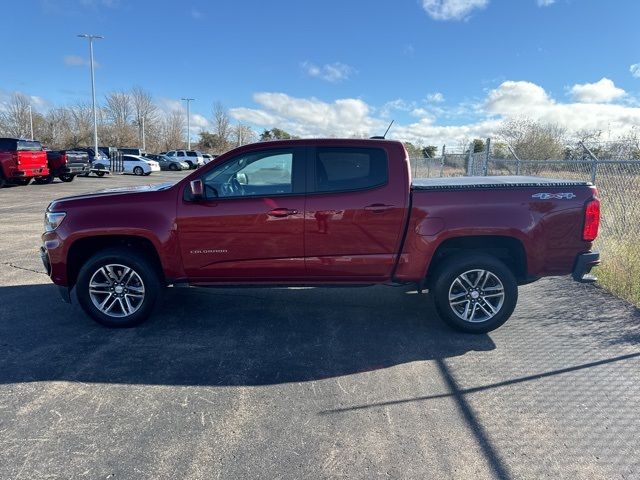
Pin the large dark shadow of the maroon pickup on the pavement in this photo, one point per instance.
(225, 337)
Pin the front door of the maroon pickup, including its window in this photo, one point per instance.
(249, 226)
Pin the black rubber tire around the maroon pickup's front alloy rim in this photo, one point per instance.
(141, 266)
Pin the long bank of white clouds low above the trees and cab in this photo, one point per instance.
(346, 117)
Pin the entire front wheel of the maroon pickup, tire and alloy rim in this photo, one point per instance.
(117, 288)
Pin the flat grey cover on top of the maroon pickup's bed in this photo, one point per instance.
(506, 181)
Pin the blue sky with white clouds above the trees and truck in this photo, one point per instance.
(443, 69)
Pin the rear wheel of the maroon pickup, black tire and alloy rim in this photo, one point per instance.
(455, 297)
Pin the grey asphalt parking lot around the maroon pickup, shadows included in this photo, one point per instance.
(307, 383)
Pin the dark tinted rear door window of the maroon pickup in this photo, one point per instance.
(349, 168)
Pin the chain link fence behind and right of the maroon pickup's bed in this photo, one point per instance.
(617, 179)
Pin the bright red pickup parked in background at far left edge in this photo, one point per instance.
(21, 161)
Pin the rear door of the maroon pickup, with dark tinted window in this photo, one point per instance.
(355, 214)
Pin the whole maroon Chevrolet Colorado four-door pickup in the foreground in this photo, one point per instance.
(321, 213)
